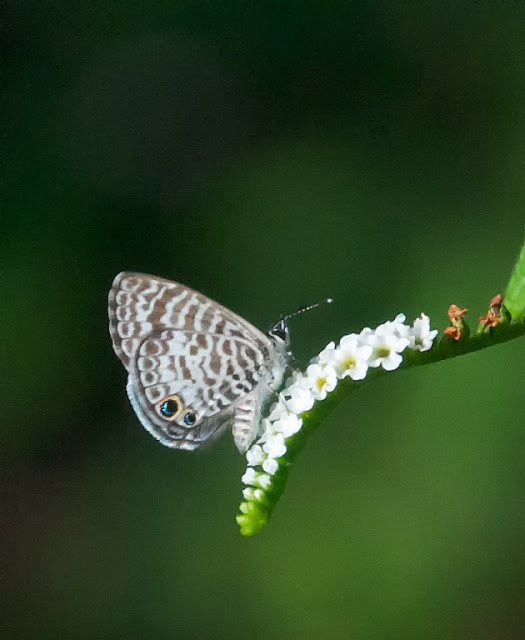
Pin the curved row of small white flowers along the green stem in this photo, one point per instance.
(352, 357)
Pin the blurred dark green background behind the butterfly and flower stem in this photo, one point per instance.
(268, 155)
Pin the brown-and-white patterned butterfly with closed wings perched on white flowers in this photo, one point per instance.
(194, 367)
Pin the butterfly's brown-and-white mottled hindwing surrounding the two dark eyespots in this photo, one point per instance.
(205, 374)
